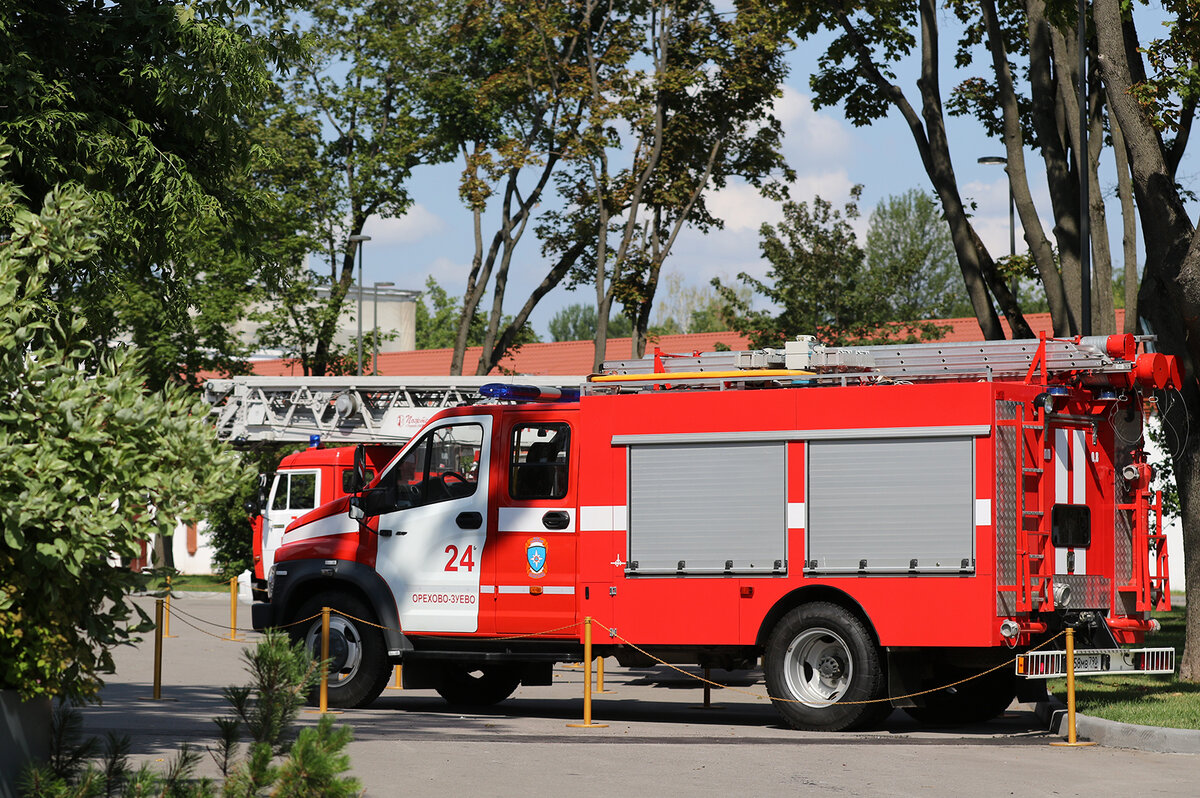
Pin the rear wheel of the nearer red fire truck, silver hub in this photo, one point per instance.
(818, 658)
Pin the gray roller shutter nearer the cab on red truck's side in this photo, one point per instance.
(707, 508)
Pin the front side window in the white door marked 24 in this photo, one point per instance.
(443, 466)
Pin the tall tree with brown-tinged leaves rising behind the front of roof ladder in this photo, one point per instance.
(695, 91)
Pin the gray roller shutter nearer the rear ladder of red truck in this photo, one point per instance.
(891, 506)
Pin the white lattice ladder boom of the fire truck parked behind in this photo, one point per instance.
(343, 410)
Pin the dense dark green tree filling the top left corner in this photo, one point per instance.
(139, 104)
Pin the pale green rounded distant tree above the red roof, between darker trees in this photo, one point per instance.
(909, 247)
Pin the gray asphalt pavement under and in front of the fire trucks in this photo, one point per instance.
(659, 739)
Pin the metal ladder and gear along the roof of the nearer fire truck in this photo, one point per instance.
(807, 362)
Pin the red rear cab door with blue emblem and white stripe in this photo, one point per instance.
(537, 531)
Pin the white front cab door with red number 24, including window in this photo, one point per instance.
(431, 545)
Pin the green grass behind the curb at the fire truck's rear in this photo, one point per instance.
(1143, 700)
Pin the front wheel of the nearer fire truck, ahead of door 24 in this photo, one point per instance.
(359, 667)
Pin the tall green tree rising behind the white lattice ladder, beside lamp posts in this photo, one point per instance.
(349, 134)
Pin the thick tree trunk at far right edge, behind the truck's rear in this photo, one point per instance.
(1169, 296)
